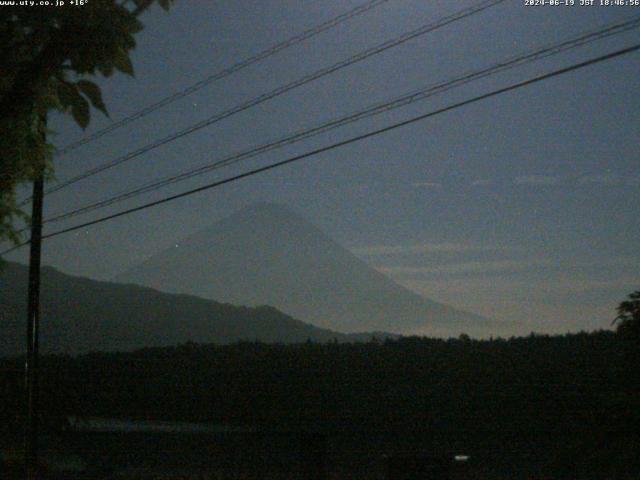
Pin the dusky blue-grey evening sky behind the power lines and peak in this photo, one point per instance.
(521, 208)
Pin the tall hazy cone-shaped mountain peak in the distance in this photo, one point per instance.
(266, 254)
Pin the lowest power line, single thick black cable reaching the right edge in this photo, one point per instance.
(349, 141)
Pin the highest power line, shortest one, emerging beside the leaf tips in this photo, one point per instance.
(307, 34)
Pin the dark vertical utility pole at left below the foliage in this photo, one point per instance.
(33, 324)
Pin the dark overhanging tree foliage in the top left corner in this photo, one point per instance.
(46, 56)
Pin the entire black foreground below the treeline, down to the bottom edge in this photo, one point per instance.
(536, 408)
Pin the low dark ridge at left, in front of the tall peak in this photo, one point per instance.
(80, 315)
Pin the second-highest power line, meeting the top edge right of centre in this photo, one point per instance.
(282, 90)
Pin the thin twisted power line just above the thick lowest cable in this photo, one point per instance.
(372, 110)
